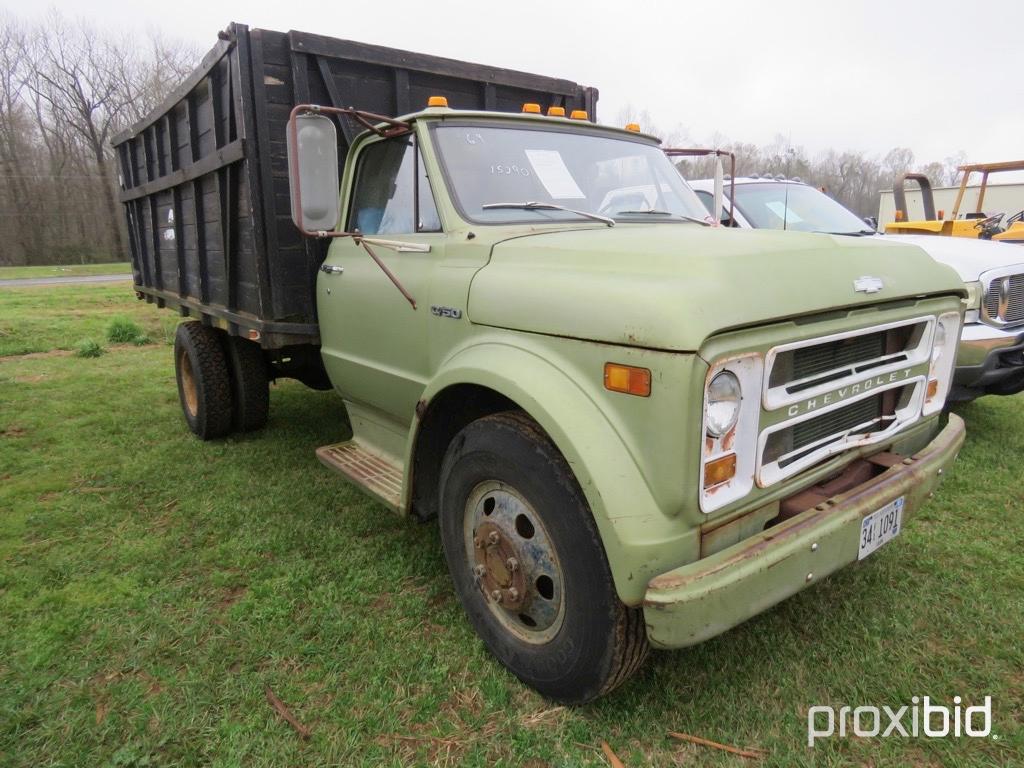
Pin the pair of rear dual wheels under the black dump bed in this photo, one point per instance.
(223, 381)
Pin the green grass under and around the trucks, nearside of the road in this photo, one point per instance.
(152, 587)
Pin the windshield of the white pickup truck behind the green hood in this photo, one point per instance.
(798, 207)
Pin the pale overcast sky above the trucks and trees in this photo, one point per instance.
(866, 76)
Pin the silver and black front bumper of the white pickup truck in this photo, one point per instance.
(989, 358)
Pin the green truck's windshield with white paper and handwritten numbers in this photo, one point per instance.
(505, 175)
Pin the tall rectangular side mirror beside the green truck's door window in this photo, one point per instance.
(313, 173)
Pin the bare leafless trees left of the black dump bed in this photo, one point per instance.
(66, 90)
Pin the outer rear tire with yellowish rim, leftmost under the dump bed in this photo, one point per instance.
(204, 386)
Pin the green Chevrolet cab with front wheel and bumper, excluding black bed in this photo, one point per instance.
(723, 417)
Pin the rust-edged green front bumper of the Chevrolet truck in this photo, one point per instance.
(703, 600)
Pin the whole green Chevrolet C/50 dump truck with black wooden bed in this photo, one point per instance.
(635, 430)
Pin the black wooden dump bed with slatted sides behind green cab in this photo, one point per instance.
(205, 177)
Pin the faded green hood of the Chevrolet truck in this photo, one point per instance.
(672, 286)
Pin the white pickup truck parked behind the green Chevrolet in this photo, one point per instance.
(991, 359)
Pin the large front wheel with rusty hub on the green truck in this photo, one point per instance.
(528, 563)
